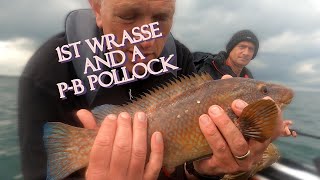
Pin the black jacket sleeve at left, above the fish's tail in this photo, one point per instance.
(39, 102)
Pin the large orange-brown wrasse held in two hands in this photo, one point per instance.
(174, 109)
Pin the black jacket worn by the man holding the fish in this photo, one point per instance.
(39, 102)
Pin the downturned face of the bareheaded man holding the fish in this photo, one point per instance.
(114, 16)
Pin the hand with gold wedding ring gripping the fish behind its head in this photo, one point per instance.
(226, 142)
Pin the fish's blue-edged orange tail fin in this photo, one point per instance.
(67, 147)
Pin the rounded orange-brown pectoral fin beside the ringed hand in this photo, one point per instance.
(259, 120)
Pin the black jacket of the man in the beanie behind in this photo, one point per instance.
(216, 65)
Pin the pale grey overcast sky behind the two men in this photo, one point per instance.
(288, 30)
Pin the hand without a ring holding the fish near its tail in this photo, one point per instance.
(120, 148)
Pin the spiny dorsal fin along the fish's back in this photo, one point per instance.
(171, 89)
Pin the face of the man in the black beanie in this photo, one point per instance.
(242, 53)
